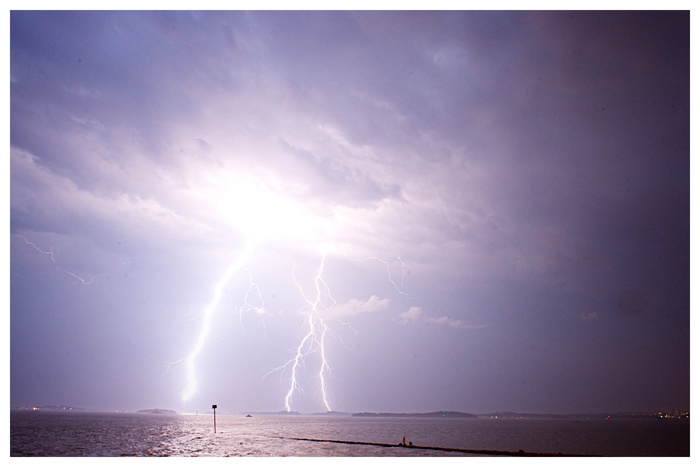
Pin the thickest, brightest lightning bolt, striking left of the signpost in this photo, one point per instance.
(208, 313)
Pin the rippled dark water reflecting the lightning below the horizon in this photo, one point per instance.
(52, 434)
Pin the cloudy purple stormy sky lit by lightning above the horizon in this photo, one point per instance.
(499, 200)
